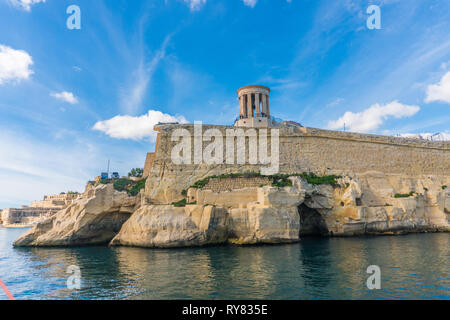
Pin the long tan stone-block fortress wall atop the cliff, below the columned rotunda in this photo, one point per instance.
(303, 149)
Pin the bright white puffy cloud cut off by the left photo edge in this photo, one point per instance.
(14, 64)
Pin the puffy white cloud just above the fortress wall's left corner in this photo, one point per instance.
(135, 128)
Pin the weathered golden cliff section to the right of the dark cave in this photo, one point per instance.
(367, 205)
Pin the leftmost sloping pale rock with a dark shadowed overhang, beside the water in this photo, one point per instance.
(90, 220)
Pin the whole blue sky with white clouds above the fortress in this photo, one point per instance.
(70, 99)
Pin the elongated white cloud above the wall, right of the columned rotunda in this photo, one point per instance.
(373, 117)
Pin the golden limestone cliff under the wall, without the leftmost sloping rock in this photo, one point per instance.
(372, 203)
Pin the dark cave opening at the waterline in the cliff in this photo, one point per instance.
(312, 222)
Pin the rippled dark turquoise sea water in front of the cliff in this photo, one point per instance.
(414, 266)
